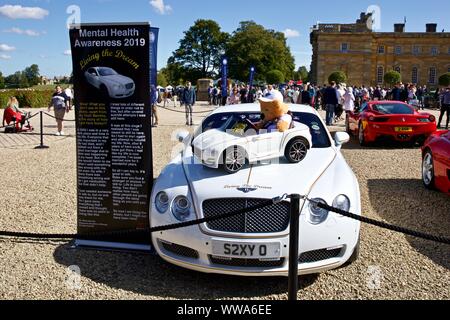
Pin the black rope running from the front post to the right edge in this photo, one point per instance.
(383, 225)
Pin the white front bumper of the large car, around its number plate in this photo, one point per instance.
(322, 248)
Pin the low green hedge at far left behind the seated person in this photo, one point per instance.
(27, 98)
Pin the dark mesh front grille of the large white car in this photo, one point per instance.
(271, 219)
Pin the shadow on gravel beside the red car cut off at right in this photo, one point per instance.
(407, 203)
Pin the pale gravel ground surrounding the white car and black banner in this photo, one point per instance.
(39, 195)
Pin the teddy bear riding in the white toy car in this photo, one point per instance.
(276, 115)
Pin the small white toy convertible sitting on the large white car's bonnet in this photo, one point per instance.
(239, 142)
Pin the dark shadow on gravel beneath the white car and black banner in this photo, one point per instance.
(149, 275)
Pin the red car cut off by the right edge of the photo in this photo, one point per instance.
(436, 161)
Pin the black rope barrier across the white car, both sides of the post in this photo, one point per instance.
(224, 216)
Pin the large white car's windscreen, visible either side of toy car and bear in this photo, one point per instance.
(227, 121)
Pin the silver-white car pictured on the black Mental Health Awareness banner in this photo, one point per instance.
(110, 83)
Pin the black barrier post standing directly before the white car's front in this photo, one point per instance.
(293, 247)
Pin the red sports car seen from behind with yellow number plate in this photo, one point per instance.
(394, 120)
